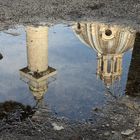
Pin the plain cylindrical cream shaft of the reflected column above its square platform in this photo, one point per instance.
(37, 48)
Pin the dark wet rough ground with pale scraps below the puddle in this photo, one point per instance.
(118, 120)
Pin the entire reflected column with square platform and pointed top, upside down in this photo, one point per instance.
(37, 72)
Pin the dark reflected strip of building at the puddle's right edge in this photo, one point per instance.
(133, 82)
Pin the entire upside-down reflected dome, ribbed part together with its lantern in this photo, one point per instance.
(110, 42)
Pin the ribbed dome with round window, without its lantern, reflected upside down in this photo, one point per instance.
(104, 38)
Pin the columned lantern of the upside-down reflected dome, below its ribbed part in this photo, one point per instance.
(109, 68)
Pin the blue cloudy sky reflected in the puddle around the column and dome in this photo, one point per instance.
(75, 90)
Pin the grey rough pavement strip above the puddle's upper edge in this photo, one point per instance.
(58, 11)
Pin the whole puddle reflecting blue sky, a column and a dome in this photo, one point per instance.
(88, 65)
